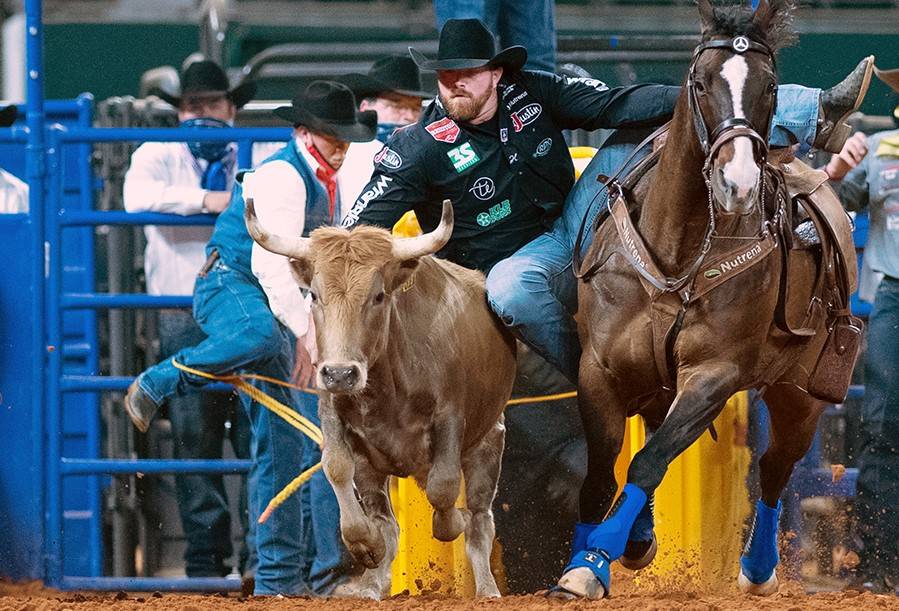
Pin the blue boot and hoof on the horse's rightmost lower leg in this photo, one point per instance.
(759, 561)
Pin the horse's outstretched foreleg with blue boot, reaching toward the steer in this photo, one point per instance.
(699, 400)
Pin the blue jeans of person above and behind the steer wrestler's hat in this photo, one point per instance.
(529, 23)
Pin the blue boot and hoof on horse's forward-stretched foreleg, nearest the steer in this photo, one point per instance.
(587, 574)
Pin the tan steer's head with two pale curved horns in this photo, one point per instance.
(353, 277)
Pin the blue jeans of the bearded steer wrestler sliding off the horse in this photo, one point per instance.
(534, 291)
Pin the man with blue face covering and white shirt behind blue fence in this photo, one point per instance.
(190, 178)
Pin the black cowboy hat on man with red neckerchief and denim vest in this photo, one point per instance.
(330, 108)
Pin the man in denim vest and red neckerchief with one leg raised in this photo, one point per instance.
(256, 321)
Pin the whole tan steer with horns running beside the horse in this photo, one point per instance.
(416, 372)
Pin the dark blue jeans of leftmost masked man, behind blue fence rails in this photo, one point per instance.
(198, 431)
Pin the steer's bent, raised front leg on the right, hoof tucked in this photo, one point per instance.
(445, 475)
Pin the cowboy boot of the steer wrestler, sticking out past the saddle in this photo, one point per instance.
(840, 101)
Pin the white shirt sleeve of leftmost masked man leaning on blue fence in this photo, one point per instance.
(157, 182)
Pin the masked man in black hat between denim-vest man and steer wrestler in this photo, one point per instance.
(392, 88)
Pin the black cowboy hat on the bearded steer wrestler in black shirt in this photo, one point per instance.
(466, 43)
